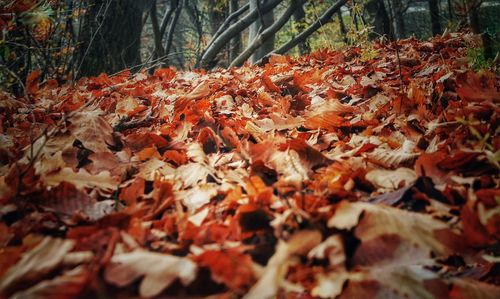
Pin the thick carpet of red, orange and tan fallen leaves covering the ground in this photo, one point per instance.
(325, 176)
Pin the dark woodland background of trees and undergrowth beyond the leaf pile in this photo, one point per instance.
(67, 39)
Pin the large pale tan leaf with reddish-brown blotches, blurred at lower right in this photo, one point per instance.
(392, 236)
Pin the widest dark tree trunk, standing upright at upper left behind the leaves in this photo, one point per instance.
(110, 39)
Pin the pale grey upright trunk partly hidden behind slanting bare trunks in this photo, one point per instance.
(266, 19)
